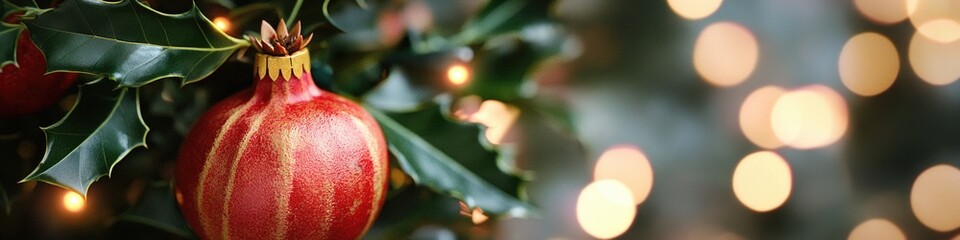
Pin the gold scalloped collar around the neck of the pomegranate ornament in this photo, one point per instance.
(282, 66)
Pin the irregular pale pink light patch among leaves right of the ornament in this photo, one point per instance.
(498, 117)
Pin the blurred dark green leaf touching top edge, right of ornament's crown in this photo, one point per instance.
(501, 16)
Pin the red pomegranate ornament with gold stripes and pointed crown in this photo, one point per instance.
(282, 159)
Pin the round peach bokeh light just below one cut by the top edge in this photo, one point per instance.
(725, 54)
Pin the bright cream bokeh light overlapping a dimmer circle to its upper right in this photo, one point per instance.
(605, 209)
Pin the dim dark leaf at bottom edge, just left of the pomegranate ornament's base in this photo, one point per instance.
(157, 208)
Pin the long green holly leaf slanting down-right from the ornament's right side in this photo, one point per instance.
(429, 166)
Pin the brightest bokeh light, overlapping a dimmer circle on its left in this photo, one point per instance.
(810, 117)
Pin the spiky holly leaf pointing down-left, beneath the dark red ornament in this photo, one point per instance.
(102, 128)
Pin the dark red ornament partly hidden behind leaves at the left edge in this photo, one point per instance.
(24, 87)
